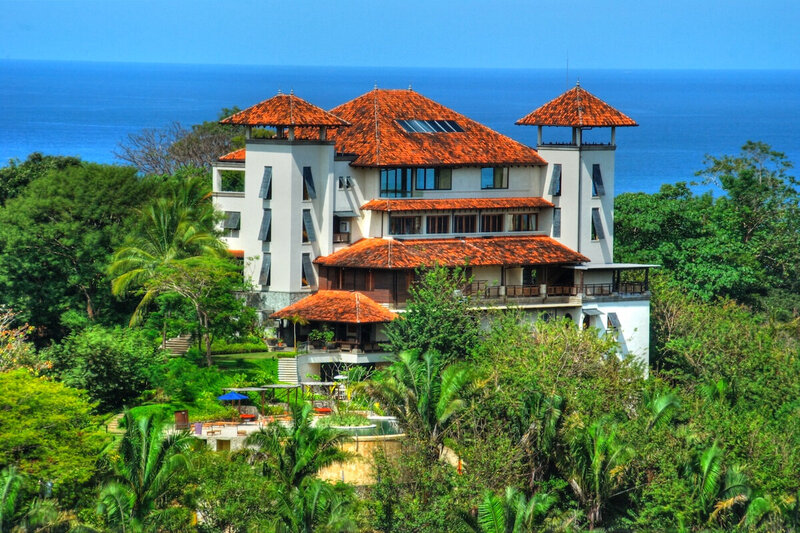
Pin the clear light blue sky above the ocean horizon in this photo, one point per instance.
(714, 34)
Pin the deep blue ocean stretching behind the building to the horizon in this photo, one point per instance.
(87, 109)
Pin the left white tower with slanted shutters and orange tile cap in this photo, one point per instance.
(280, 221)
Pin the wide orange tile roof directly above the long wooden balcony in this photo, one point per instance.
(477, 251)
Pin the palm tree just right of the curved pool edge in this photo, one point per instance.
(423, 396)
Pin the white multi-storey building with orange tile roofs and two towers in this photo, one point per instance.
(357, 198)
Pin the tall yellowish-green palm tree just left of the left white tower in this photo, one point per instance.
(172, 228)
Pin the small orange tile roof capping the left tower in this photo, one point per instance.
(284, 110)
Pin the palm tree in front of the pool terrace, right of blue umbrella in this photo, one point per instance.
(298, 452)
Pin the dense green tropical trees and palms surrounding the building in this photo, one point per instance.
(510, 424)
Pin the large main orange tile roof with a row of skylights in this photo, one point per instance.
(379, 141)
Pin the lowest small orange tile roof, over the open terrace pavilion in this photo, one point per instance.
(338, 306)
